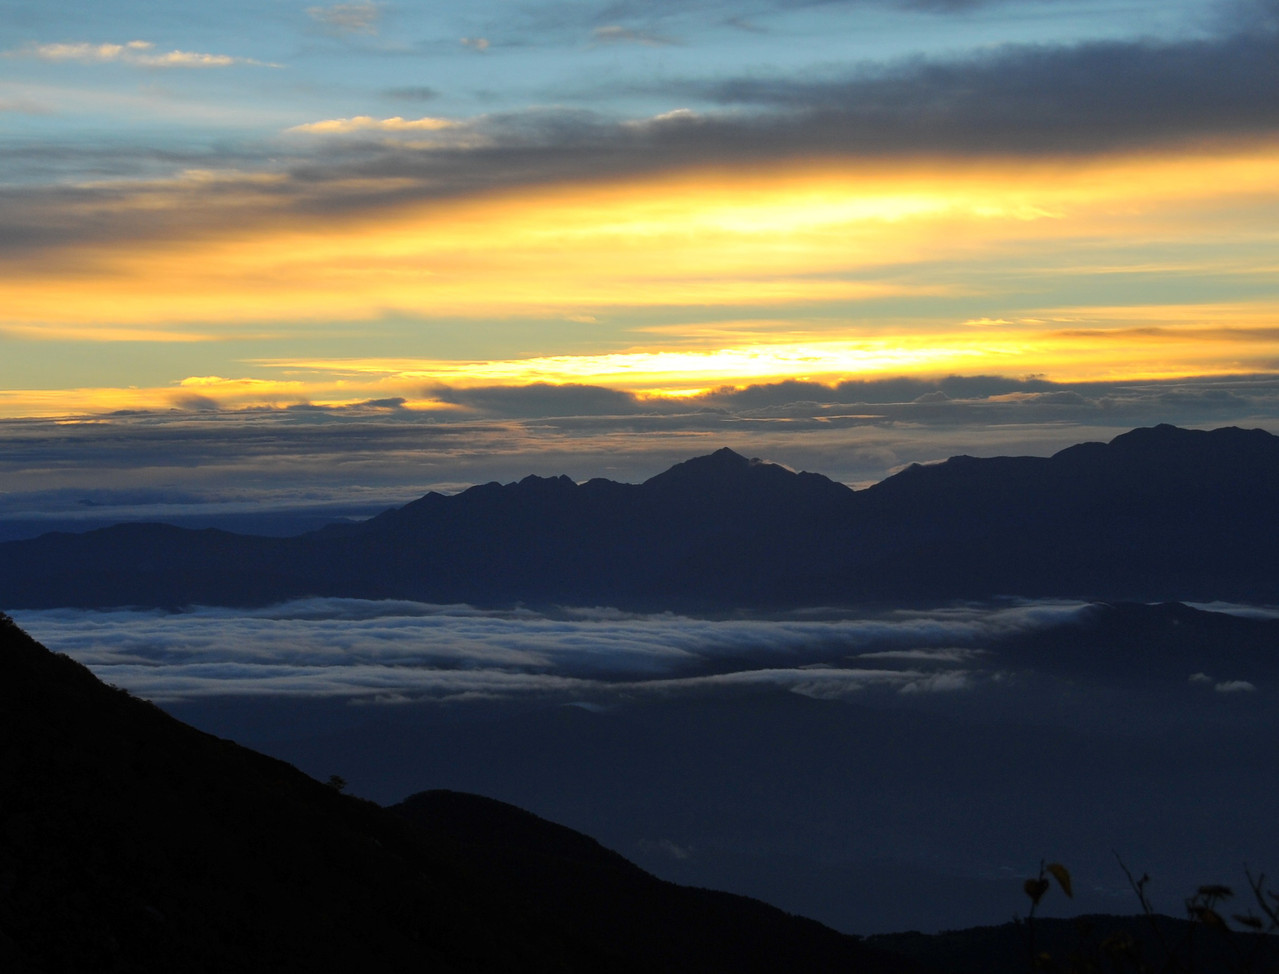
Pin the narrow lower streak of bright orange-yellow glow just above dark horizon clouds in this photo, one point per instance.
(1079, 352)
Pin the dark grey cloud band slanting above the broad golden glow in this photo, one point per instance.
(1014, 102)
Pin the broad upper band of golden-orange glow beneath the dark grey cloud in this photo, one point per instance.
(808, 235)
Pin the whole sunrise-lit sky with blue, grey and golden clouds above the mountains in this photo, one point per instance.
(286, 254)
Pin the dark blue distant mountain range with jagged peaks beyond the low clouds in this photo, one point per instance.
(1157, 514)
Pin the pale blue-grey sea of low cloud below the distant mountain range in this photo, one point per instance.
(378, 653)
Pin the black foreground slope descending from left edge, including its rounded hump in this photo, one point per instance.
(134, 843)
